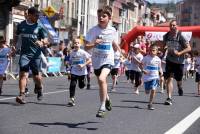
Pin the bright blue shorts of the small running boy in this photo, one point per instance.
(151, 85)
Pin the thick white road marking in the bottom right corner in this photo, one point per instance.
(184, 124)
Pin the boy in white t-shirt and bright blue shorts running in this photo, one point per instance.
(151, 65)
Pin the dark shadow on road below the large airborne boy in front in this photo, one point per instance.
(70, 125)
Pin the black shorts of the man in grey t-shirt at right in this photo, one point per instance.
(174, 70)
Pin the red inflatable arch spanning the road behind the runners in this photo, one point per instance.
(140, 30)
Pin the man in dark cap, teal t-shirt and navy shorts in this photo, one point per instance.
(32, 36)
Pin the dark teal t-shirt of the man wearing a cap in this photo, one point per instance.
(29, 34)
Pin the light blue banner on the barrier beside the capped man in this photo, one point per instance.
(54, 64)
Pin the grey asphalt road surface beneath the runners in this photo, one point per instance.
(129, 114)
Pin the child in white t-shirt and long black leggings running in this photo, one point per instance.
(78, 59)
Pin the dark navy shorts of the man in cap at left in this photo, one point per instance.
(33, 64)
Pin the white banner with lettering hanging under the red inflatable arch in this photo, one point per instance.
(155, 36)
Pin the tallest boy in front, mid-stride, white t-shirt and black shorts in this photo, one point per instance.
(102, 38)
